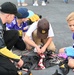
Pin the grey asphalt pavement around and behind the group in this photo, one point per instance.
(55, 12)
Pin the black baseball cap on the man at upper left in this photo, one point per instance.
(10, 8)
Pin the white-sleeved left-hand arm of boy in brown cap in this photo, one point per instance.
(28, 36)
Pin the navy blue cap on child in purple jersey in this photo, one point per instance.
(24, 12)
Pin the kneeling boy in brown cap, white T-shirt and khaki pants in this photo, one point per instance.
(40, 33)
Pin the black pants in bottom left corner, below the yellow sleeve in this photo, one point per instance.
(7, 67)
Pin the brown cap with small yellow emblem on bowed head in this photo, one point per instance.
(42, 28)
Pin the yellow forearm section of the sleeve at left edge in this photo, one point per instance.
(5, 52)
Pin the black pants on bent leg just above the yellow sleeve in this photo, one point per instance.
(12, 38)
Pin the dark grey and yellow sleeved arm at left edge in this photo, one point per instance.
(3, 50)
